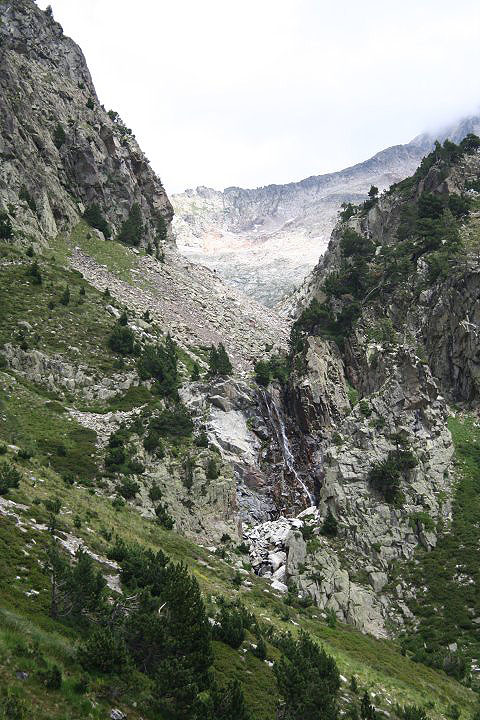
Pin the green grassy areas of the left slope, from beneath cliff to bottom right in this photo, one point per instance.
(31, 416)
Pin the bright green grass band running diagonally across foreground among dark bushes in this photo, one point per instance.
(378, 665)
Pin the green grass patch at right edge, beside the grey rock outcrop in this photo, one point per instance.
(451, 572)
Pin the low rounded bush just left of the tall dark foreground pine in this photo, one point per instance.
(104, 651)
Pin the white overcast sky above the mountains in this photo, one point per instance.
(248, 93)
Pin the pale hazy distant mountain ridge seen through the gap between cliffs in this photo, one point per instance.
(266, 240)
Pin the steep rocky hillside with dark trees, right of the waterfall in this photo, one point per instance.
(393, 307)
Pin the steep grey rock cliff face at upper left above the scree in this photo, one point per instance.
(45, 84)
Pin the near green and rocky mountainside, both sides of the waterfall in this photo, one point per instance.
(208, 510)
